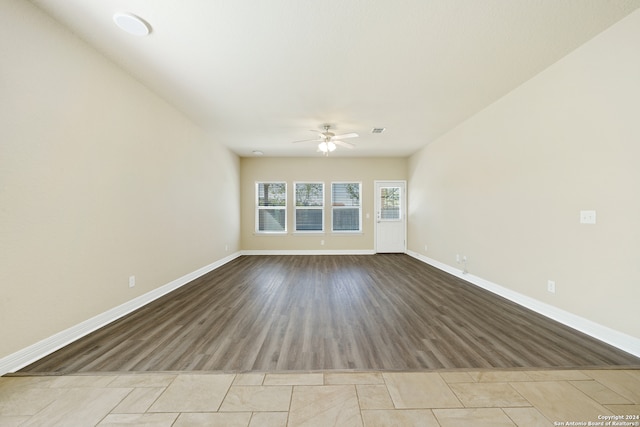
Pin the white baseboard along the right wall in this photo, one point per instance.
(610, 336)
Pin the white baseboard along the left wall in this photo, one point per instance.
(26, 356)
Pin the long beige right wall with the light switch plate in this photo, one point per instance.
(505, 188)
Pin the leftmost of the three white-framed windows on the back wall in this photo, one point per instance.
(271, 204)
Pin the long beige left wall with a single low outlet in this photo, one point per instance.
(99, 180)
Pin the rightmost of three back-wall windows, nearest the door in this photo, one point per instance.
(346, 210)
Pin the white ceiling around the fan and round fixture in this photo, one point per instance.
(258, 74)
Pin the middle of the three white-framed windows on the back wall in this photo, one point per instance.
(309, 206)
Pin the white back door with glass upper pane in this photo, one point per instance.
(391, 217)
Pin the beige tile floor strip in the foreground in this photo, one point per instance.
(456, 398)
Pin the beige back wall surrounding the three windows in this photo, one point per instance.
(324, 169)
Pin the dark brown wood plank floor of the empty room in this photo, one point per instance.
(383, 312)
